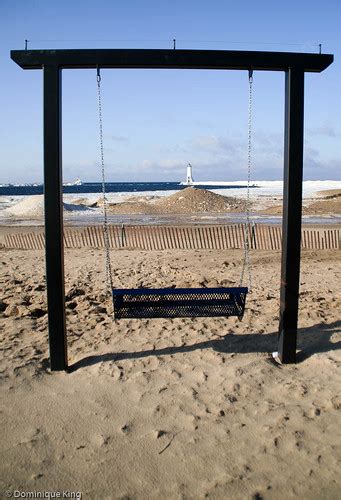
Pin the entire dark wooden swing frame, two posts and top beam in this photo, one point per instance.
(294, 65)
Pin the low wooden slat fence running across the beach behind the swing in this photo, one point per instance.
(217, 237)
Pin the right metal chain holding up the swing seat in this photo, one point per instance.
(246, 263)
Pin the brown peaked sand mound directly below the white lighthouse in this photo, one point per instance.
(187, 201)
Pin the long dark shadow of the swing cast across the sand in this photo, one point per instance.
(312, 340)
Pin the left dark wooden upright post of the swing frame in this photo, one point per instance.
(53, 198)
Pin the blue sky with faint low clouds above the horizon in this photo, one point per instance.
(156, 121)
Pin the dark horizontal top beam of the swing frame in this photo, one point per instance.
(166, 58)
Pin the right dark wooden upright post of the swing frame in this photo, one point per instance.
(292, 214)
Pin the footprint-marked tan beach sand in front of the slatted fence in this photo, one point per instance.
(176, 409)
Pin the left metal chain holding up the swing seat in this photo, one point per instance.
(105, 204)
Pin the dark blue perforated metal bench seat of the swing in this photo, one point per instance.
(179, 302)
